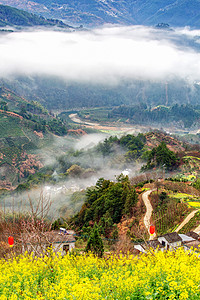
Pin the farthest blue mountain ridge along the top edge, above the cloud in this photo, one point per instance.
(98, 12)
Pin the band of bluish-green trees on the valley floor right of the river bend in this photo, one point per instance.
(188, 114)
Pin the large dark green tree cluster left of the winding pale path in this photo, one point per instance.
(106, 203)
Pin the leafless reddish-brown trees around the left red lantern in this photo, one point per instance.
(27, 227)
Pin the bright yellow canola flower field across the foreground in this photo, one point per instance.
(169, 275)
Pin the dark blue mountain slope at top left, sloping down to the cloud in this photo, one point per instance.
(10, 16)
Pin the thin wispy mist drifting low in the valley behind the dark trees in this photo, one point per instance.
(60, 193)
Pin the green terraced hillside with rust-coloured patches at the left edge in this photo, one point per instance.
(25, 128)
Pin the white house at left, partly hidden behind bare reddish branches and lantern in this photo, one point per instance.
(60, 241)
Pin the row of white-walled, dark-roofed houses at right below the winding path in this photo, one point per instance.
(171, 241)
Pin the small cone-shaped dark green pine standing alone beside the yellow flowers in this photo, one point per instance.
(95, 243)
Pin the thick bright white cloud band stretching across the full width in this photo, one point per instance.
(105, 55)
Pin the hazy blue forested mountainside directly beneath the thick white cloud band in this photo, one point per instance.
(56, 94)
